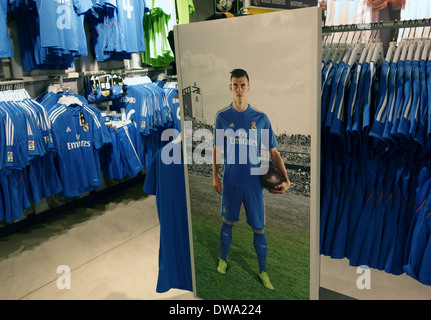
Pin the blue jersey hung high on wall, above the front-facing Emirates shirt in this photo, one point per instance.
(51, 33)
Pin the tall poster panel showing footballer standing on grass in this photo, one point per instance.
(249, 104)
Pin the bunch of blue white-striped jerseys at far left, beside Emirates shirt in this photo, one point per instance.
(27, 167)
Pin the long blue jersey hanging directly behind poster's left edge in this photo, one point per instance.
(167, 183)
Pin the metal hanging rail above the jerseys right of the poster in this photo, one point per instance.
(378, 25)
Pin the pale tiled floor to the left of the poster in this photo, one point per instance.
(110, 246)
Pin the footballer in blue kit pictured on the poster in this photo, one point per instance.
(241, 132)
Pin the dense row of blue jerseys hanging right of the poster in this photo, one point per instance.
(376, 180)
